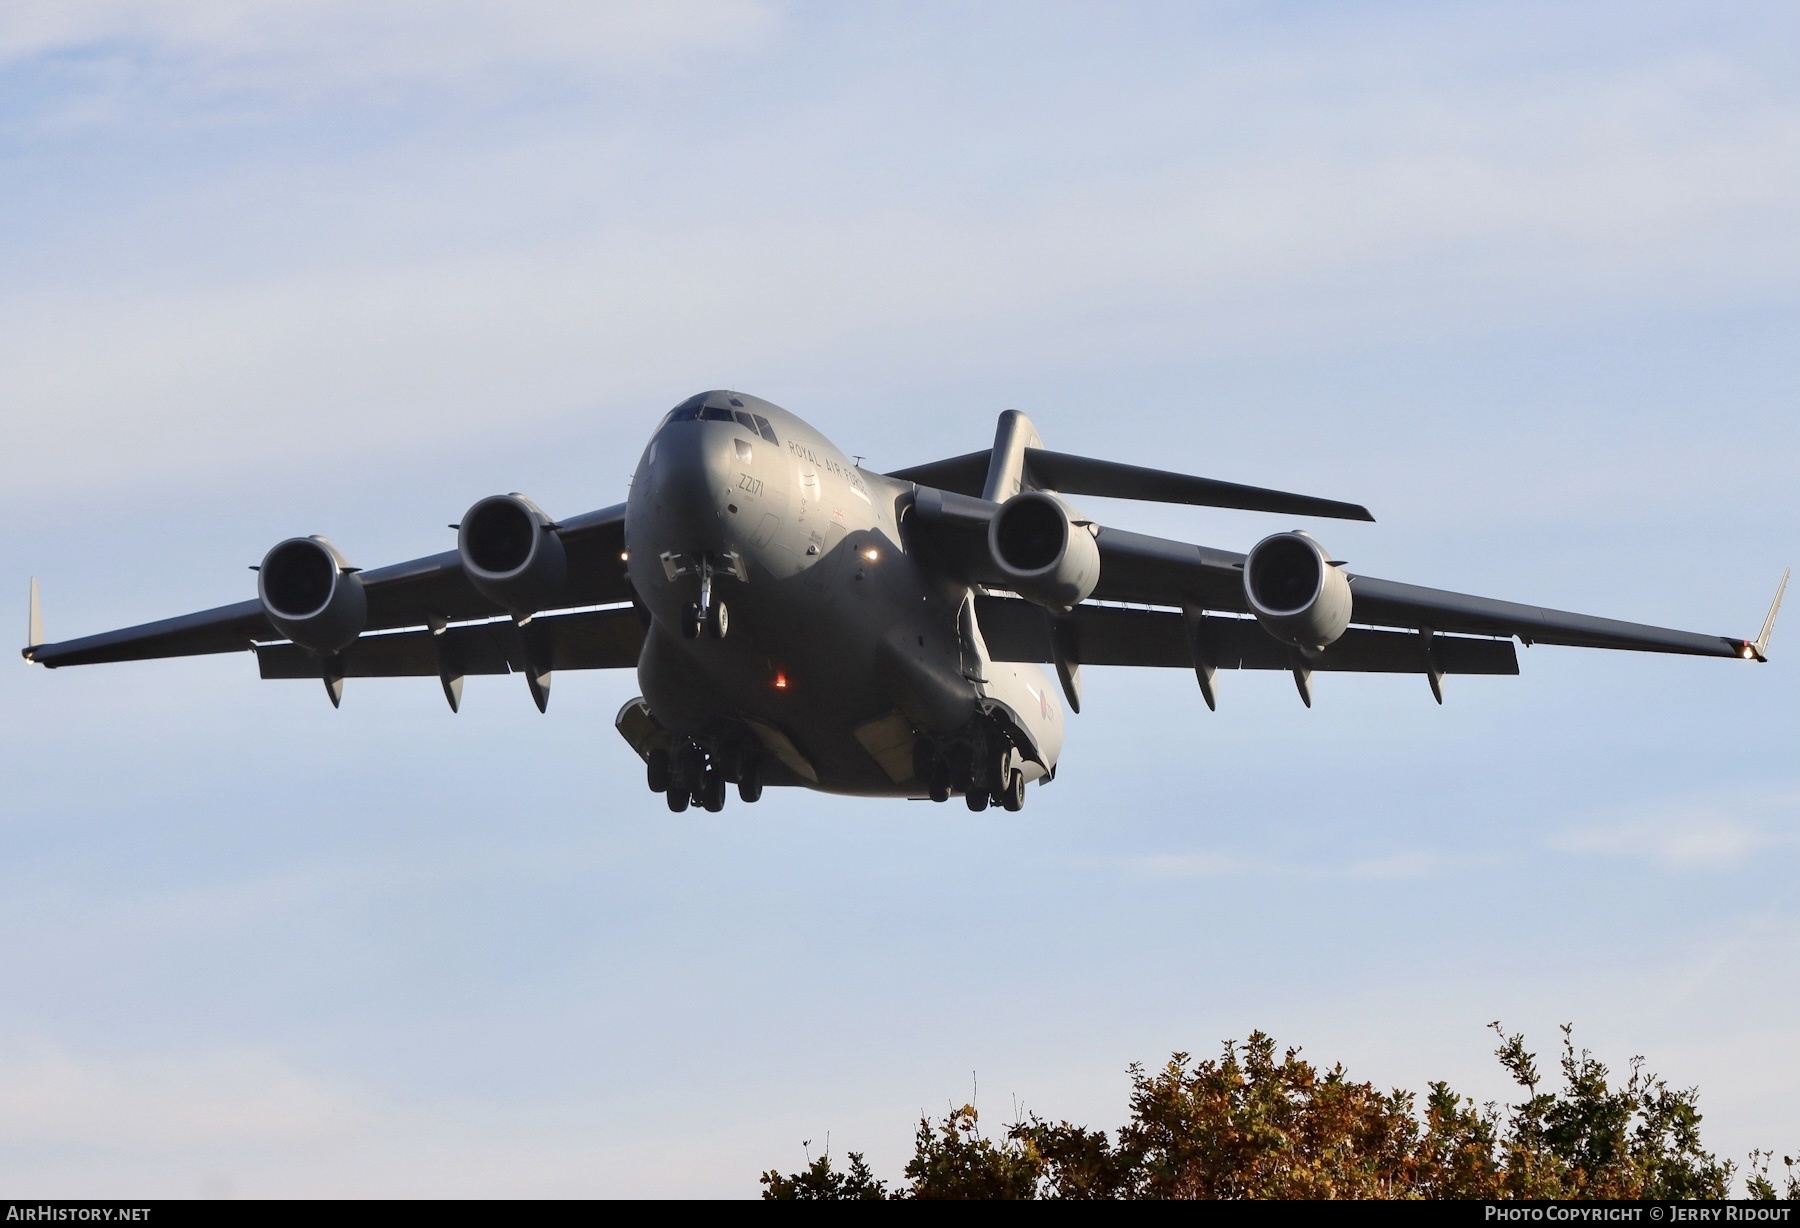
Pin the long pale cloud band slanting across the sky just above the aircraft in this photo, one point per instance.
(388, 352)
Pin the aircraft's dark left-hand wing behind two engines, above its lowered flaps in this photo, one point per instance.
(406, 595)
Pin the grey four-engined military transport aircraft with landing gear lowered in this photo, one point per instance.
(798, 620)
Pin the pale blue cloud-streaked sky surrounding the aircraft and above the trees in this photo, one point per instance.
(1524, 280)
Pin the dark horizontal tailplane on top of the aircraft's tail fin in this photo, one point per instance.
(1084, 476)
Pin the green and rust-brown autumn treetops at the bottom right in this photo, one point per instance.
(1264, 1123)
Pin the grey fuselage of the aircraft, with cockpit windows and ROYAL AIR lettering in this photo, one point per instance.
(840, 642)
